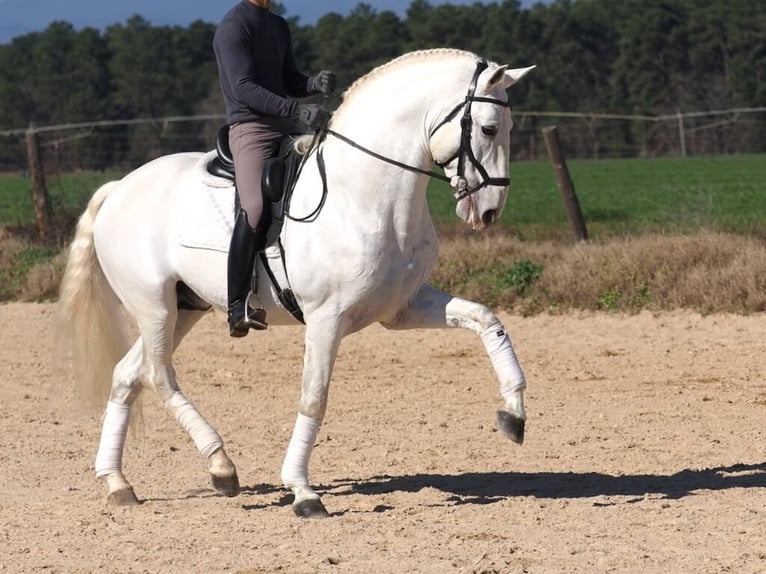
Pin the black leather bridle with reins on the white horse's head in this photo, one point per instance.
(464, 151)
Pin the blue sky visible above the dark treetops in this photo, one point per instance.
(18, 17)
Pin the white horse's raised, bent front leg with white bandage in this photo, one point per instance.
(431, 308)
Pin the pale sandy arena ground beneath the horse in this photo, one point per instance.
(645, 452)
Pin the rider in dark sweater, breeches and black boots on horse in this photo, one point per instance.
(257, 73)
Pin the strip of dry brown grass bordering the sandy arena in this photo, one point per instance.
(707, 272)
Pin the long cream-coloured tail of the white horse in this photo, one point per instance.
(90, 323)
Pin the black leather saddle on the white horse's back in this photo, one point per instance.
(277, 182)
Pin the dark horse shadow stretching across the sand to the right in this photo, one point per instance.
(490, 487)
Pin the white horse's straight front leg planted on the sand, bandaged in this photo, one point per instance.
(321, 348)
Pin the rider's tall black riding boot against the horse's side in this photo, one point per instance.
(246, 242)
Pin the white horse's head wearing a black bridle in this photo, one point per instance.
(471, 143)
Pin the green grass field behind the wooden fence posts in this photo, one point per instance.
(617, 196)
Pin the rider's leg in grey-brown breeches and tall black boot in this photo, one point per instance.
(251, 145)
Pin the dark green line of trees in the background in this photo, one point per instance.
(634, 57)
